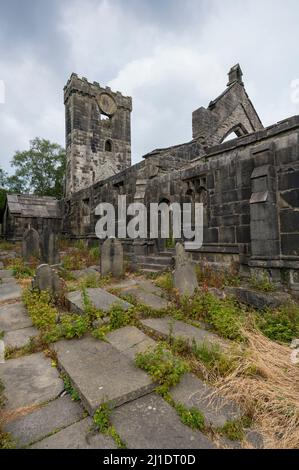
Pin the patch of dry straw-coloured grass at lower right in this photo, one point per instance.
(266, 384)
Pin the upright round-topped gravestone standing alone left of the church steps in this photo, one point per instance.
(112, 258)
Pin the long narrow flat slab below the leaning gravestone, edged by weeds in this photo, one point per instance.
(166, 325)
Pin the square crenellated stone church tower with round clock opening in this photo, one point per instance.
(98, 133)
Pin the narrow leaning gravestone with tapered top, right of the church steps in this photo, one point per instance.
(185, 279)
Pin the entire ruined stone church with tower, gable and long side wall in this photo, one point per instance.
(249, 185)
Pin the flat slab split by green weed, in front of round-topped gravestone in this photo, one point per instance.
(100, 298)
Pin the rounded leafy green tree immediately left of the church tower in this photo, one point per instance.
(39, 170)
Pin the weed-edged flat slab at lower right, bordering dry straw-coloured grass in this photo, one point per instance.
(194, 393)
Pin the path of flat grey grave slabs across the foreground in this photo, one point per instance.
(40, 414)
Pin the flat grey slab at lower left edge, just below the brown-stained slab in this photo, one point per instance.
(33, 427)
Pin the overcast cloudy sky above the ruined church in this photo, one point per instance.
(171, 56)
